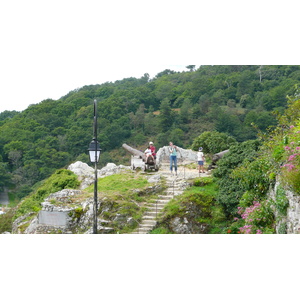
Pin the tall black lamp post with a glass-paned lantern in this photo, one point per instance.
(94, 151)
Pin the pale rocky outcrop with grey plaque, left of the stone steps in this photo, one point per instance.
(70, 211)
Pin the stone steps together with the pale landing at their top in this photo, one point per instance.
(174, 188)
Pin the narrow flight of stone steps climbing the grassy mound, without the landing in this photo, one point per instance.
(150, 217)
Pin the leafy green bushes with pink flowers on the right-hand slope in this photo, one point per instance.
(277, 158)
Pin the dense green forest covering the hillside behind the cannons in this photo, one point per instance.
(239, 101)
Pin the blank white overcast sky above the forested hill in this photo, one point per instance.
(49, 48)
